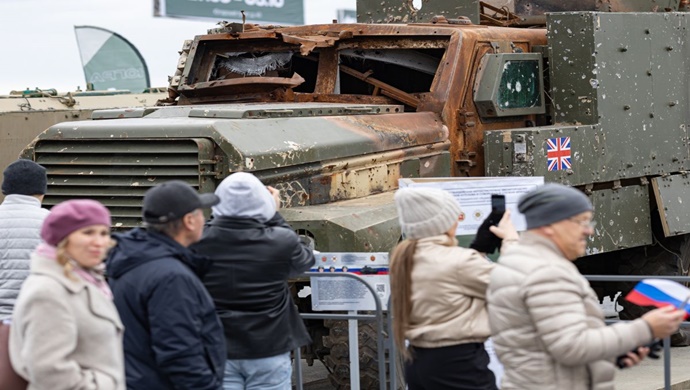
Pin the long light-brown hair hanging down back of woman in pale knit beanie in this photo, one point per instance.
(401, 292)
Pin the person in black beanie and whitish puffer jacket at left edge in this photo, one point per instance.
(21, 216)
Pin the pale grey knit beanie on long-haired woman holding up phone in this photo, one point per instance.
(425, 212)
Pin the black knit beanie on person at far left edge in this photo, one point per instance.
(24, 177)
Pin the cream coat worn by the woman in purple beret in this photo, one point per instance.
(66, 334)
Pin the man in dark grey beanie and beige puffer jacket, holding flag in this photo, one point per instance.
(546, 323)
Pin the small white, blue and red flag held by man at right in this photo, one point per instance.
(659, 293)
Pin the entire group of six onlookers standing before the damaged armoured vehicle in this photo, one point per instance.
(186, 303)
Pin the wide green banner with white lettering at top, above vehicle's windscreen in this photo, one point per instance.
(285, 12)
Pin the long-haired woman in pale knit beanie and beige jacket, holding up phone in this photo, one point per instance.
(438, 294)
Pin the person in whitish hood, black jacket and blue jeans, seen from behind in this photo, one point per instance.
(254, 253)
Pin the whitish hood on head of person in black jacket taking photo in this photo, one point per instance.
(243, 195)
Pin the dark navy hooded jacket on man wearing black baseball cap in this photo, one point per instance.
(173, 338)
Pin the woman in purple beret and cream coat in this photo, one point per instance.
(66, 332)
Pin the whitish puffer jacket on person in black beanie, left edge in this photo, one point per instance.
(21, 217)
